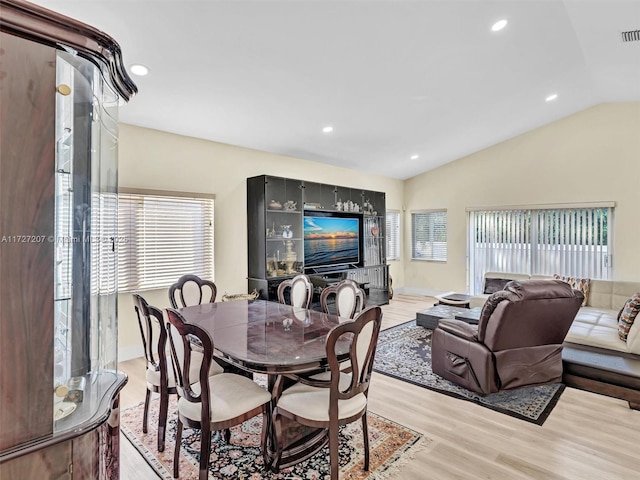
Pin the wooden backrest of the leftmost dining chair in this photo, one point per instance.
(154, 335)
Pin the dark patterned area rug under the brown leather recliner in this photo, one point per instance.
(404, 352)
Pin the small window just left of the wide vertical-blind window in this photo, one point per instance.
(429, 235)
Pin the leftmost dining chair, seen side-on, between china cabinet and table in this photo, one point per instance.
(157, 375)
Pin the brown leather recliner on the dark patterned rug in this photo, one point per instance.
(517, 342)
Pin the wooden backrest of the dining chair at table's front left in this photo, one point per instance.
(191, 352)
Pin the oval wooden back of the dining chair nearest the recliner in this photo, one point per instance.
(362, 333)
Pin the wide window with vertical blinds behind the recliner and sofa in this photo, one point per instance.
(571, 241)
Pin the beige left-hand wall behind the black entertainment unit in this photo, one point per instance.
(157, 160)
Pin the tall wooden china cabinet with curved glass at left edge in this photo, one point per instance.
(60, 85)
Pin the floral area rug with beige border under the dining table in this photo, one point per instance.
(391, 446)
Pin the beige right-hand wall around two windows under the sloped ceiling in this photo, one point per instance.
(591, 156)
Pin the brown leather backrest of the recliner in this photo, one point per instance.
(528, 313)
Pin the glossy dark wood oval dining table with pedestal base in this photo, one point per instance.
(273, 339)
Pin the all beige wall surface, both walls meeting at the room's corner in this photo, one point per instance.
(593, 155)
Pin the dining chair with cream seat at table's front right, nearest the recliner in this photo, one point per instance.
(333, 398)
